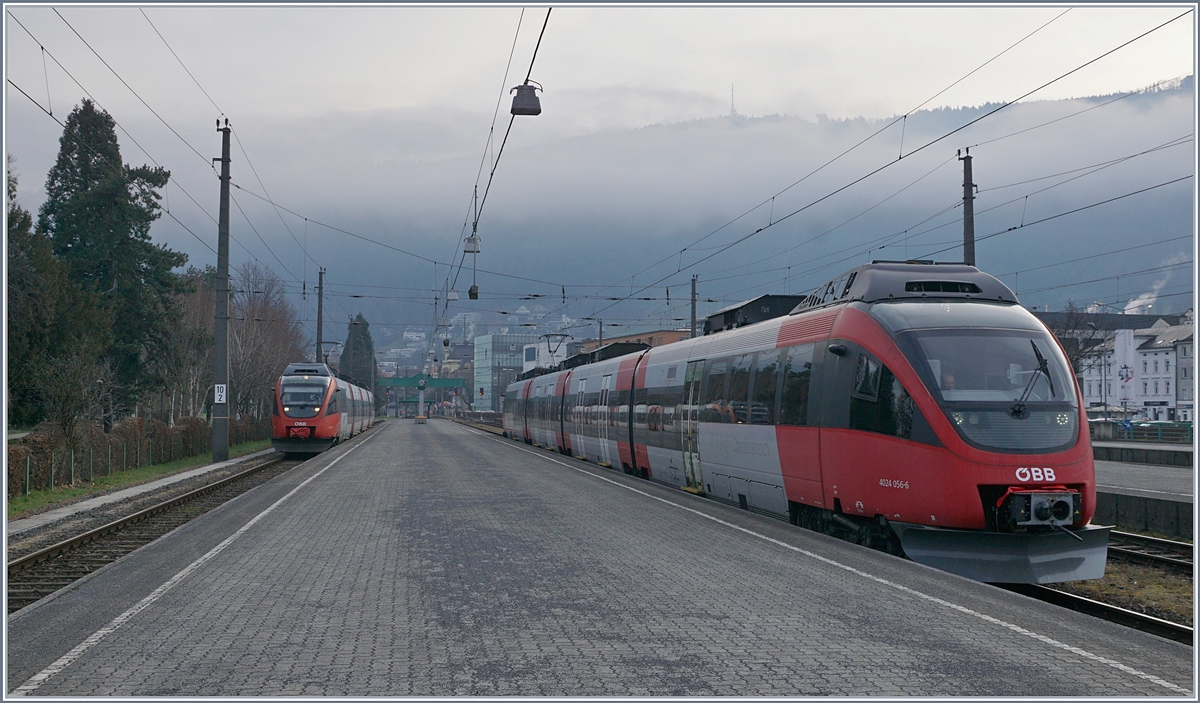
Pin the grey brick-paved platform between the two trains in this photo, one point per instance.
(437, 561)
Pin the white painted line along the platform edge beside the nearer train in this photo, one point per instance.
(932, 599)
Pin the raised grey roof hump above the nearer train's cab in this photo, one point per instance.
(881, 281)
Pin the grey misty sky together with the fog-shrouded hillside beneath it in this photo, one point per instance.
(375, 121)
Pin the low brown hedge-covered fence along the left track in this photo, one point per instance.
(43, 461)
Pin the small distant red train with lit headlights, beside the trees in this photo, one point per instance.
(315, 410)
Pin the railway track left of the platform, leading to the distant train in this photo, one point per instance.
(46, 572)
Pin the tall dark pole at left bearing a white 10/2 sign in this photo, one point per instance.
(221, 316)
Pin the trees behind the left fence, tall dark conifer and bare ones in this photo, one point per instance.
(103, 326)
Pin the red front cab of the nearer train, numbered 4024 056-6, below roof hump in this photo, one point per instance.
(976, 434)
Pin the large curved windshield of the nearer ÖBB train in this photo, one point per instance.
(994, 369)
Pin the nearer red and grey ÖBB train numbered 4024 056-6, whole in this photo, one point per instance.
(911, 407)
